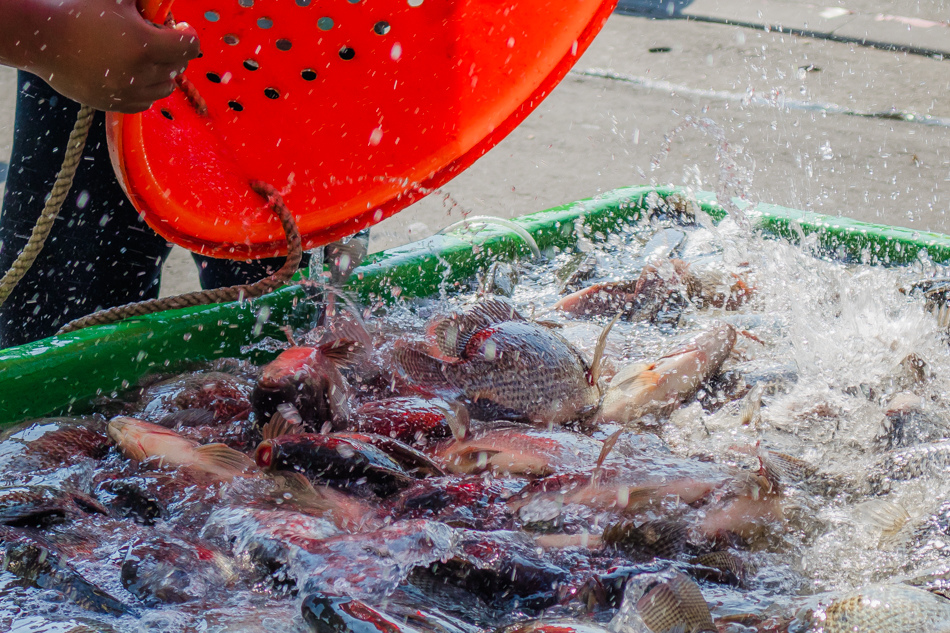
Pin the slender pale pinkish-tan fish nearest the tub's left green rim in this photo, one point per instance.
(146, 442)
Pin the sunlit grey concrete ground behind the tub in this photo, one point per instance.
(821, 124)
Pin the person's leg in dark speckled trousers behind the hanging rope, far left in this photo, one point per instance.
(99, 254)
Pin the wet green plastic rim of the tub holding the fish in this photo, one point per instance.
(63, 373)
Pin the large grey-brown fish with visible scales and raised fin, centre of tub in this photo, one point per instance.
(503, 367)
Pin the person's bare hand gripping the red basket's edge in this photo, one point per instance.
(101, 53)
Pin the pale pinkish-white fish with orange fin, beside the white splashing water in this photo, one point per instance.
(658, 387)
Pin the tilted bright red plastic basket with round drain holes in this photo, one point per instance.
(353, 109)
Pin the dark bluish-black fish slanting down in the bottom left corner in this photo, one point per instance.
(35, 561)
